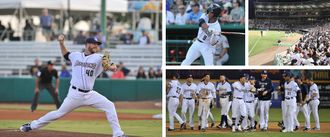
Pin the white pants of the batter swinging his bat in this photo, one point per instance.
(198, 49)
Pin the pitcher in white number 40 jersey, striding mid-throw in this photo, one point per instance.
(86, 67)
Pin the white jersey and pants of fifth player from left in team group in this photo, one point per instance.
(238, 105)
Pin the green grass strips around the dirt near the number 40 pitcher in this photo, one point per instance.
(145, 128)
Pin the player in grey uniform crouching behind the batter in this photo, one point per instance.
(219, 47)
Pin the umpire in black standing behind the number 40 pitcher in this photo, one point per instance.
(44, 81)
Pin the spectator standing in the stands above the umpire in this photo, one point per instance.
(46, 22)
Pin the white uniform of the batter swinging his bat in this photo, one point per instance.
(202, 46)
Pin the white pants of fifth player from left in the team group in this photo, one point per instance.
(238, 109)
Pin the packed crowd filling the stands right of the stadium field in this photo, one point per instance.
(312, 49)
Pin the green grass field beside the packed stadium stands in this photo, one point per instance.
(258, 44)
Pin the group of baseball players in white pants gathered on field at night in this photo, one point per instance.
(246, 97)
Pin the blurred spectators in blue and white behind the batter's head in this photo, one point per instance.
(181, 12)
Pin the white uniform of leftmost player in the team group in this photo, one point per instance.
(173, 102)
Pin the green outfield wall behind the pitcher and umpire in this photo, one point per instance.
(22, 90)
